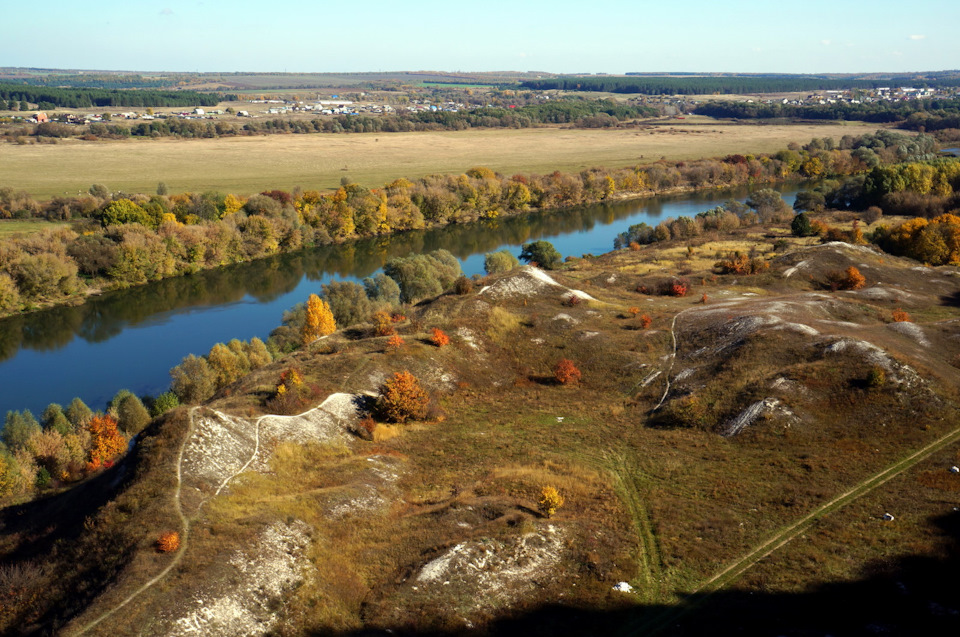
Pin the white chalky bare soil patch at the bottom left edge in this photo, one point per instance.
(262, 577)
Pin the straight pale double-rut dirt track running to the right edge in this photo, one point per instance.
(732, 571)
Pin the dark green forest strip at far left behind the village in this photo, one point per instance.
(49, 97)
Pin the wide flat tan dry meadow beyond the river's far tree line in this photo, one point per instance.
(251, 164)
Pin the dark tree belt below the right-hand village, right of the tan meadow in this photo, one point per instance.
(930, 114)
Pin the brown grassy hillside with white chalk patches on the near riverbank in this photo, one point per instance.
(729, 453)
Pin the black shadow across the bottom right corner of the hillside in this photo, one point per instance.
(910, 595)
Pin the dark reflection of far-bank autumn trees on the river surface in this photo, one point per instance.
(103, 317)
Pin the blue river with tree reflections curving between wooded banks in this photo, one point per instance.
(131, 338)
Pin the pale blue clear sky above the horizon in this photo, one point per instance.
(596, 36)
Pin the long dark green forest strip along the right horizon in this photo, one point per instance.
(724, 84)
